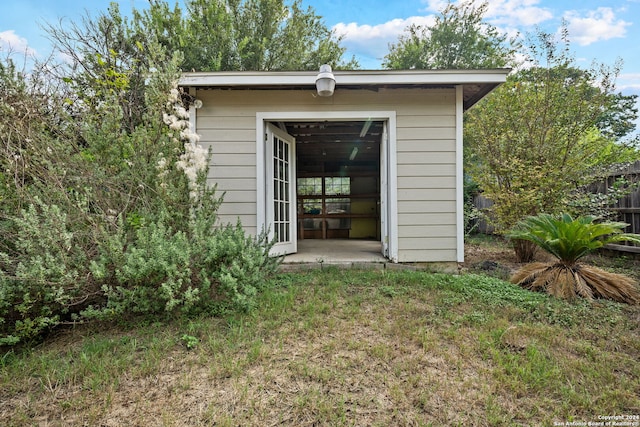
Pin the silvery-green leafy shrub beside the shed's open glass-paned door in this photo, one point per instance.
(166, 271)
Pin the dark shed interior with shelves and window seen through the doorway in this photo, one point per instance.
(337, 178)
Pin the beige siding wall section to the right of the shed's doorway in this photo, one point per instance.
(426, 179)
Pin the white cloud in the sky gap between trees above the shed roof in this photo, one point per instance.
(373, 40)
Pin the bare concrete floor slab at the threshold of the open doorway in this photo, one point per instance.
(336, 251)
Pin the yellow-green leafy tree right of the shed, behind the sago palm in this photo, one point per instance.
(535, 139)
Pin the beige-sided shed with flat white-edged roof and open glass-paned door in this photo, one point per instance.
(349, 155)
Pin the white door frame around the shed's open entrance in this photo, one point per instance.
(389, 235)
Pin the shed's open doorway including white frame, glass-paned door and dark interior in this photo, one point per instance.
(368, 161)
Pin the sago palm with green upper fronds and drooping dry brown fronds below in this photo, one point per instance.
(570, 239)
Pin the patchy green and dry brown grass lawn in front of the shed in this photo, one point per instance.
(334, 348)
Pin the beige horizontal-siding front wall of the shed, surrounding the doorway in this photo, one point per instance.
(425, 155)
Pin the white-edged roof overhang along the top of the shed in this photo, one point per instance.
(476, 83)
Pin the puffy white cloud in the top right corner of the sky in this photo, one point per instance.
(599, 24)
